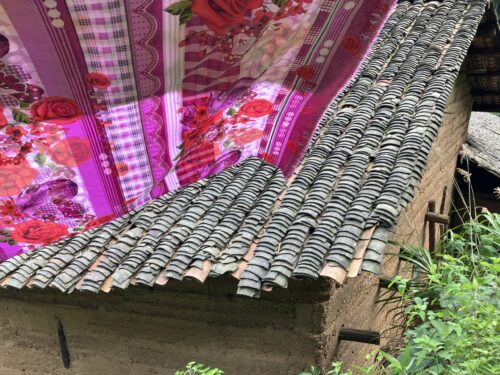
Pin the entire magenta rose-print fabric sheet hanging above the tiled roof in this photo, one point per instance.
(107, 104)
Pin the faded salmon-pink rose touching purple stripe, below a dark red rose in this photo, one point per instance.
(71, 152)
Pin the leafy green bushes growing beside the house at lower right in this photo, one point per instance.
(450, 305)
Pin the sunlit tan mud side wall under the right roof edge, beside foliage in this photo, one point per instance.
(411, 229)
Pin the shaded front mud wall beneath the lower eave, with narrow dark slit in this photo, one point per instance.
(158, 331)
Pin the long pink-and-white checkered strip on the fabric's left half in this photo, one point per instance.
(102, 29)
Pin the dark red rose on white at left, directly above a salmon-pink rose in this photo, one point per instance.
(56, 109)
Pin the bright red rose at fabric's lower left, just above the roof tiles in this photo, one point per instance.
(38, 232)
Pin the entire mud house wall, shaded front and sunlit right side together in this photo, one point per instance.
(156, 331)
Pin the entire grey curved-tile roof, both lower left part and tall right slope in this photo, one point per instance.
(331, 218)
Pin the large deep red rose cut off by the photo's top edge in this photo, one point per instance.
(221, 15)
